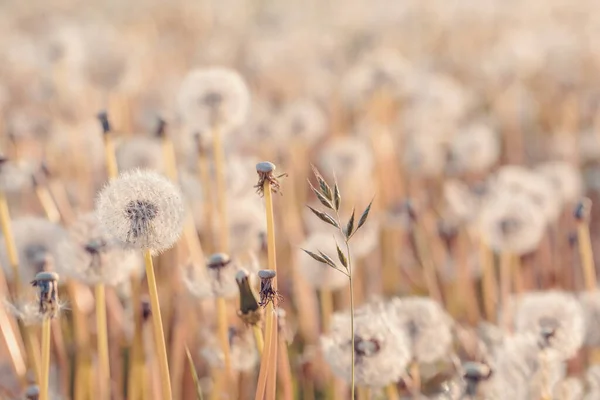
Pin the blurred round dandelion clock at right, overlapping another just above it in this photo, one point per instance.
(511, 223)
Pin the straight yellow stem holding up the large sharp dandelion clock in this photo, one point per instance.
(159, 336)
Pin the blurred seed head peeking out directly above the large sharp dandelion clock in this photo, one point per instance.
(140, 152)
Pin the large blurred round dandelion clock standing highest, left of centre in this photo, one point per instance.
(213, 97)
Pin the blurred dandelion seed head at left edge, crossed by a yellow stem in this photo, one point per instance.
(36, 240)
